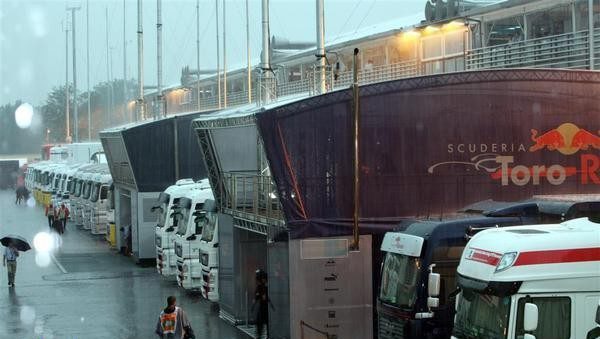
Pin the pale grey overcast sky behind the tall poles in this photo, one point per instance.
(32, 39)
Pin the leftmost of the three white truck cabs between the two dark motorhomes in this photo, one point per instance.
(166, 261)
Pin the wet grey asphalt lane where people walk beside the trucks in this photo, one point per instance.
(88, 290)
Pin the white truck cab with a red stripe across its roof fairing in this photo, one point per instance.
(530, 282)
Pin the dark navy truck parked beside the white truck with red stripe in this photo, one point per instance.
(429, 248)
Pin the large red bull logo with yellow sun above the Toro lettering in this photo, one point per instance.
(567, 139)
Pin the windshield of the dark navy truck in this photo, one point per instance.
(399, 278)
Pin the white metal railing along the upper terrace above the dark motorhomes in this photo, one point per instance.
(569, 50)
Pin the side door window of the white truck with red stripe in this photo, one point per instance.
(554, 317)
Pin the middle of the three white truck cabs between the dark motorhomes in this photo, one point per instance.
(195, 209)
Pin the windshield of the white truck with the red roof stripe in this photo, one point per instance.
(480, 315)
